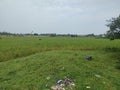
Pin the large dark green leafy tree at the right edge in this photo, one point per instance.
(114, 28)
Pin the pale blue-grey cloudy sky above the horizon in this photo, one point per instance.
(57, 16)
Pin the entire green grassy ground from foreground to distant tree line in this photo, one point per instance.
(26, 62)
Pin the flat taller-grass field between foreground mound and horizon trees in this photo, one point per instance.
(14, 47)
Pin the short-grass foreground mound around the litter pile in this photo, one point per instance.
(30, 73)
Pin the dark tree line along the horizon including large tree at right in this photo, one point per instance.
(112, 33)
